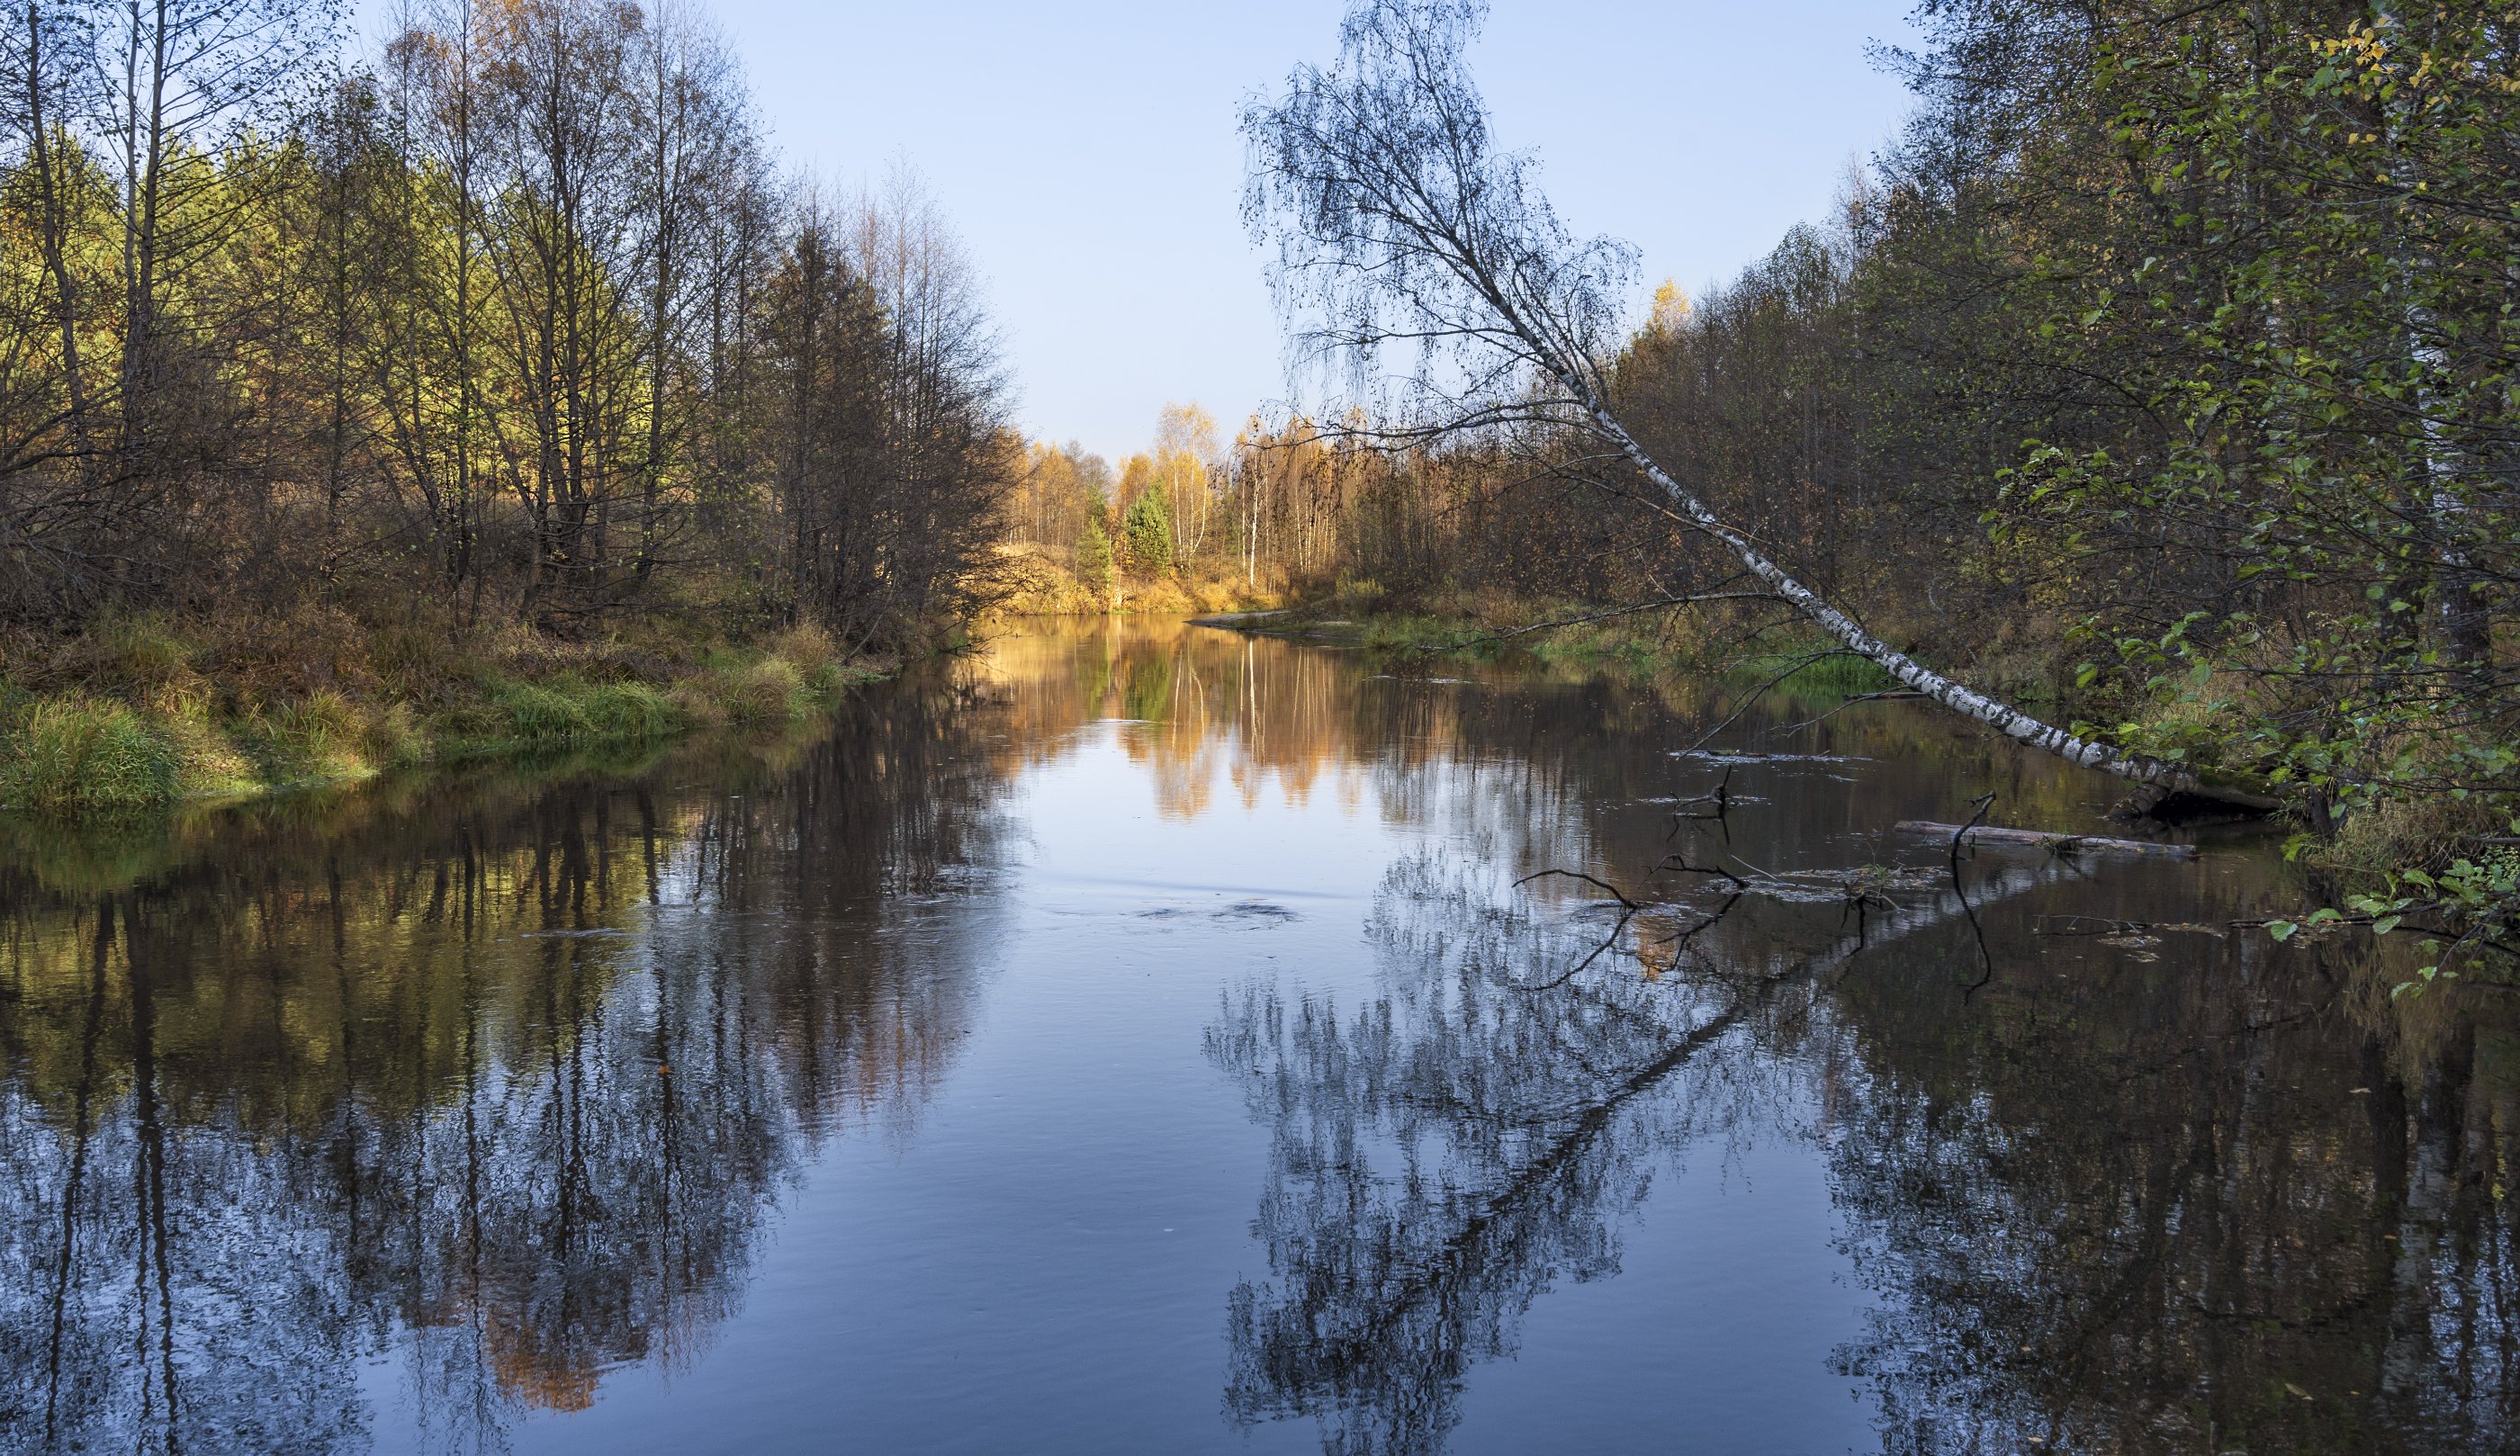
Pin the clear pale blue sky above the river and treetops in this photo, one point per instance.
(1087, 155)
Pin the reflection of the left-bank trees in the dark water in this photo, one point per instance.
(510, 1084)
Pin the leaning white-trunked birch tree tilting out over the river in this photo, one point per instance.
(1402, 228)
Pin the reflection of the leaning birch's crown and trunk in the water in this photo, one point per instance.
(1473, 1137)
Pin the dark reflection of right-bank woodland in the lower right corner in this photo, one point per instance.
(2179, 1213)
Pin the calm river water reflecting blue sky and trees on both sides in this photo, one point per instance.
(1150, 1039)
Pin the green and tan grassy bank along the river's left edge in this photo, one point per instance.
(145, 712)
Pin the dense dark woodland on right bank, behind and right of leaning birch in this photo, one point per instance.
(2168, 361)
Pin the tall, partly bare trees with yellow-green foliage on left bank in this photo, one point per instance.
(518, 321)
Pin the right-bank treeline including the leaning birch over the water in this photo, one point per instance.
(2161, 372)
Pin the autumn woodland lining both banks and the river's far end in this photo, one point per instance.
(2161, 372)
